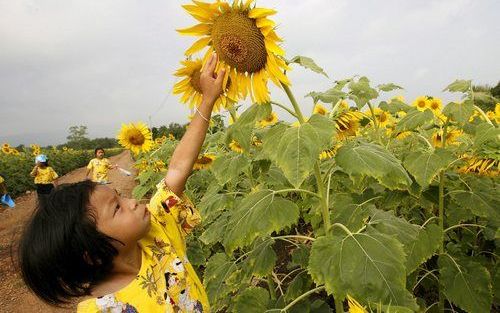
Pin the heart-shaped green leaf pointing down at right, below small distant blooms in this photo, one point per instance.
(425, 165)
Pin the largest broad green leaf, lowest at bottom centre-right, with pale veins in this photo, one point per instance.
(367, 265)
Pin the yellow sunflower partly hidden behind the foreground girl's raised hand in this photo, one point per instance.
(190, 87)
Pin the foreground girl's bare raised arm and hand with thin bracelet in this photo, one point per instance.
(187, 151)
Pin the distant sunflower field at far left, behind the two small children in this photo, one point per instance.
(15, 165)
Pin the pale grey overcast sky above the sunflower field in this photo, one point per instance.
(103, 62)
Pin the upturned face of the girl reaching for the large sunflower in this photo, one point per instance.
(120, 218)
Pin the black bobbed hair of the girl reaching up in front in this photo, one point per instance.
(61, 253)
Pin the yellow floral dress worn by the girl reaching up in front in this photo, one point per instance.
(166, 281)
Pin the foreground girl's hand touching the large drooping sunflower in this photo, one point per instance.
(211, 83)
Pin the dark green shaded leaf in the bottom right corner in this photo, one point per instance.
(466, 283)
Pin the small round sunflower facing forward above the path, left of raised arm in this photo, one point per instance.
(135, 137)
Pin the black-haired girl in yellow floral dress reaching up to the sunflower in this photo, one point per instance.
(125, 256)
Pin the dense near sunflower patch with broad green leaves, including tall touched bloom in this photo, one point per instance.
(363, 205)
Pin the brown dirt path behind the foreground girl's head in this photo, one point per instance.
(14, 296)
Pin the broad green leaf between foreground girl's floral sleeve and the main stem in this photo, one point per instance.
(258, 214)
